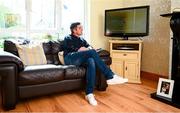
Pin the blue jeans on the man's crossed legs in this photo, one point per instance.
(91, 59)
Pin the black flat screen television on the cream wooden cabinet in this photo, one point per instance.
(127, 22)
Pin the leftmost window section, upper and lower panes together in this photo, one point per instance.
(12, 19)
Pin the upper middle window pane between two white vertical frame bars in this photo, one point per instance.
(43, 17)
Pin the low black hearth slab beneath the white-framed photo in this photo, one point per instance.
(165, 100)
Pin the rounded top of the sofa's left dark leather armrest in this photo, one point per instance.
(6, 57)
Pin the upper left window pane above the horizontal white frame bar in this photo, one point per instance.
(12, 14)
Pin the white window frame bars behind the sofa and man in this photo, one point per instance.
(27, 30)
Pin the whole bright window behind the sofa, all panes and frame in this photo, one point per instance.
(39, 19)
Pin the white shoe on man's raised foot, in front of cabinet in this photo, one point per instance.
(117, 80)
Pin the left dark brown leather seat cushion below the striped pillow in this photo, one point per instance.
(40, 74)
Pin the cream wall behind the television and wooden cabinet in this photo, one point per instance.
(155, 53)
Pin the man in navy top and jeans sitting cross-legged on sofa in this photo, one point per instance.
(78, 52)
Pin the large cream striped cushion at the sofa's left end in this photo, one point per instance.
(31, 54)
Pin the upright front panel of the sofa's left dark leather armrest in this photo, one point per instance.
(8, 74)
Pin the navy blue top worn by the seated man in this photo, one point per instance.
(73, 43)
